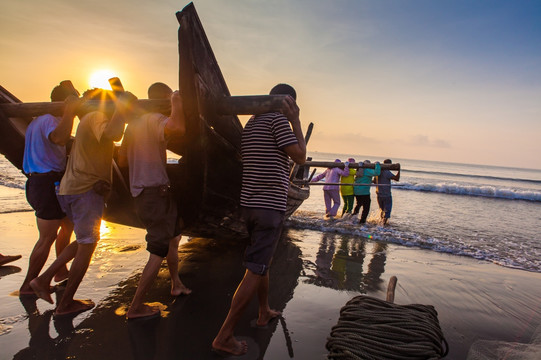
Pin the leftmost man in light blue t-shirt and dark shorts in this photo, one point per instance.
(44, 163)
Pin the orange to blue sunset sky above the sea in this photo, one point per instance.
(443, 80)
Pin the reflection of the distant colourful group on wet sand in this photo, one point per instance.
(339, 264)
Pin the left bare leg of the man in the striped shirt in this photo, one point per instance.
(225, 341)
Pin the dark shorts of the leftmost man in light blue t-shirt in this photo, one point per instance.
(40, 194)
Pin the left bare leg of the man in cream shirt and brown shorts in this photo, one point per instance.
(138, 308)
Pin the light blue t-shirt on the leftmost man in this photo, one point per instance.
(40, 154)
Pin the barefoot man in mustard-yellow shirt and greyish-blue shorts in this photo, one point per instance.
(82, 195)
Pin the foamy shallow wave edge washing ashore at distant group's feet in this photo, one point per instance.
(525, 259)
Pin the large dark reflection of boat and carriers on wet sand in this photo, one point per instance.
(212, 270)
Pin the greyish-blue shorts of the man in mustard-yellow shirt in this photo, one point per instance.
(85, 211)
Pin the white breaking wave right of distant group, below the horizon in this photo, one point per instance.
(474, 190)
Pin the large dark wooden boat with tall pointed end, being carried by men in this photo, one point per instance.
(207, 179)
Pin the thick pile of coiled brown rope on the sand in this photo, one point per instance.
(370, 328)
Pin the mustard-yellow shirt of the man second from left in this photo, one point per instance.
(90, 159)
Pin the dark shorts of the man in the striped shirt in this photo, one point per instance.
(264, 227)
